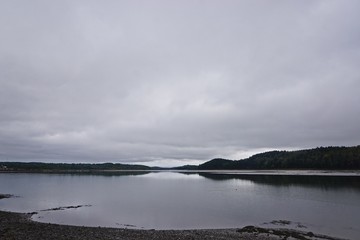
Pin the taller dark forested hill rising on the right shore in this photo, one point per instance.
(329, 158)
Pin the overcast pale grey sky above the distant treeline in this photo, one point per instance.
(169, 83)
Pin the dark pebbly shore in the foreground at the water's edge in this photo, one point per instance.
(19, 226)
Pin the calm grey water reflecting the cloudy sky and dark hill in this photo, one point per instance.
(169, 200)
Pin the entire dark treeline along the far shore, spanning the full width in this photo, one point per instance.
(322, 158)
